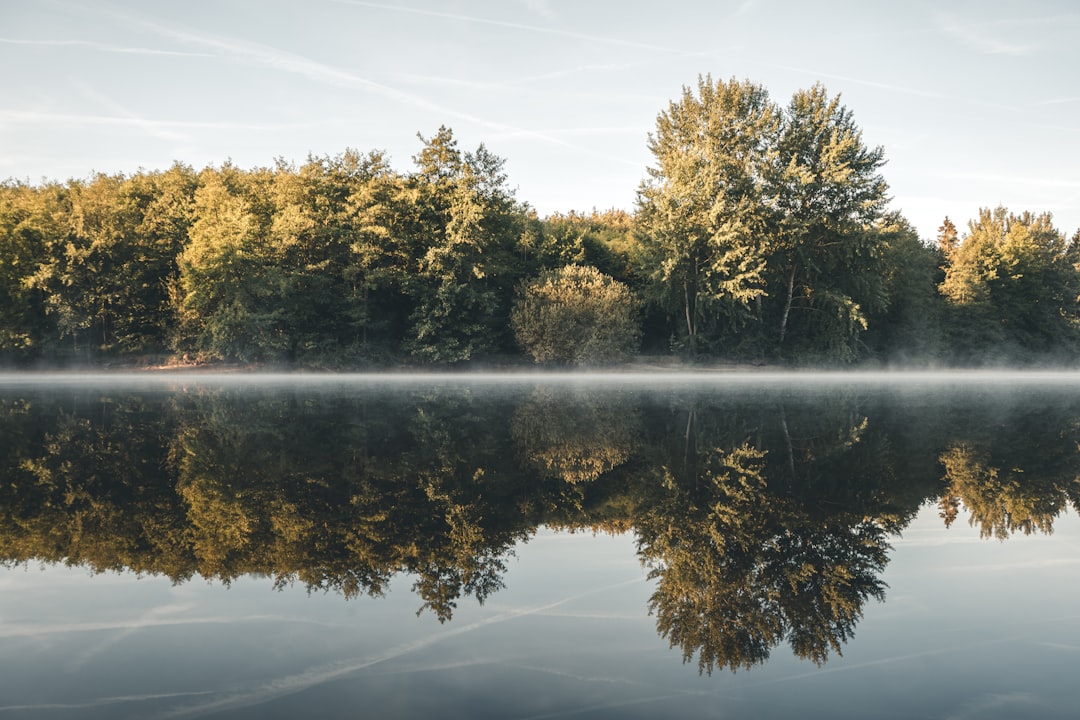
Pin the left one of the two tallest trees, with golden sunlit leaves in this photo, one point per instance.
(700, 214)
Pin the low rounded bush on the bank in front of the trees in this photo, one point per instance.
(576, 316)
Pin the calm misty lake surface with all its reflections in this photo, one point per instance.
(620, 547)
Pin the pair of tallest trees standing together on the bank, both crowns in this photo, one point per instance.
(759, 222)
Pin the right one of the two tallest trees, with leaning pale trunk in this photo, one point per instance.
(825, 261)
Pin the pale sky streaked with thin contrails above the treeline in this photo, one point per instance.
(977, 104)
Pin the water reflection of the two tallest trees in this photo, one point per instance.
(744, 564)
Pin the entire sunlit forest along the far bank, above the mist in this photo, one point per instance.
(761, 235)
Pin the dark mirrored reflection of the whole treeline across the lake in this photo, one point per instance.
(763, 518)
